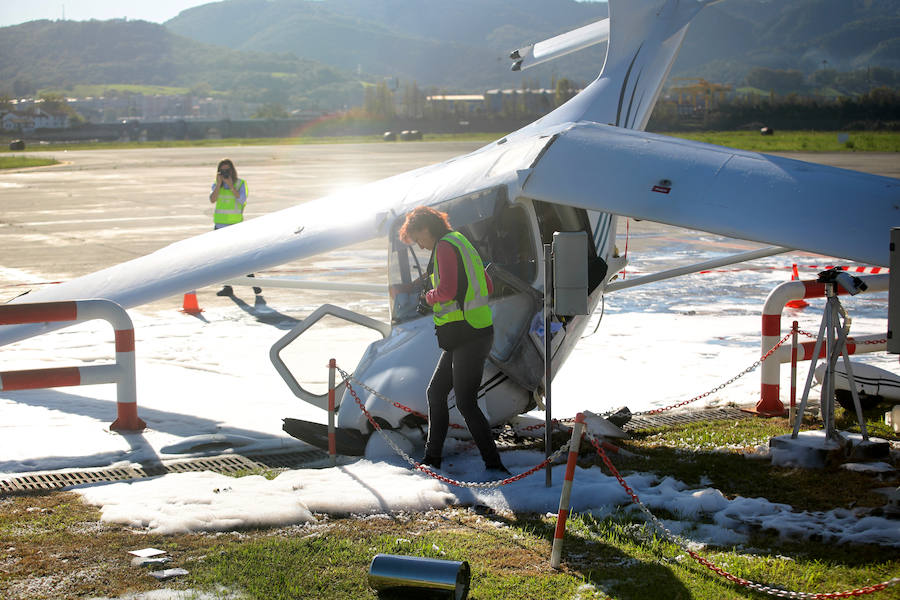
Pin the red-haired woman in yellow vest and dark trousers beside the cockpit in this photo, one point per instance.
(462, 320)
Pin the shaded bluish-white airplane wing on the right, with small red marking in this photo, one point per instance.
(734, 193)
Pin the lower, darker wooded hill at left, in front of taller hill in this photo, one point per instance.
(64, 54)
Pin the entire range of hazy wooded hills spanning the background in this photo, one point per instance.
(314, 54)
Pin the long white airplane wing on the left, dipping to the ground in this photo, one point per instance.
(312, 228)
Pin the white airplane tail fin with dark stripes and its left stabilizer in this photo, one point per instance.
(644, 39)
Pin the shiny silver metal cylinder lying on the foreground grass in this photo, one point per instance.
(390, 572)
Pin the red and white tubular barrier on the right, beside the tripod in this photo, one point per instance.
(770, 371)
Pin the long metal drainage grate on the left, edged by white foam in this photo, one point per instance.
(228, 463)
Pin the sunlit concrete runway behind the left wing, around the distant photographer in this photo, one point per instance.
(104, 207)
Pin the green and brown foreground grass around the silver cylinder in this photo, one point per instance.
(52, 545)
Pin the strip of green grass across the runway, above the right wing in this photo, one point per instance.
(800, 141)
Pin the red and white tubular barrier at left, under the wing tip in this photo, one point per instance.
(76, 311)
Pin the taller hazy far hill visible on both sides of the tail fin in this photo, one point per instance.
(464, 44)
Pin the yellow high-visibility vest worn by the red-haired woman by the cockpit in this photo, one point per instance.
(474, 310)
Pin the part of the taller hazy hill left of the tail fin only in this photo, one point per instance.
(459, 45)
